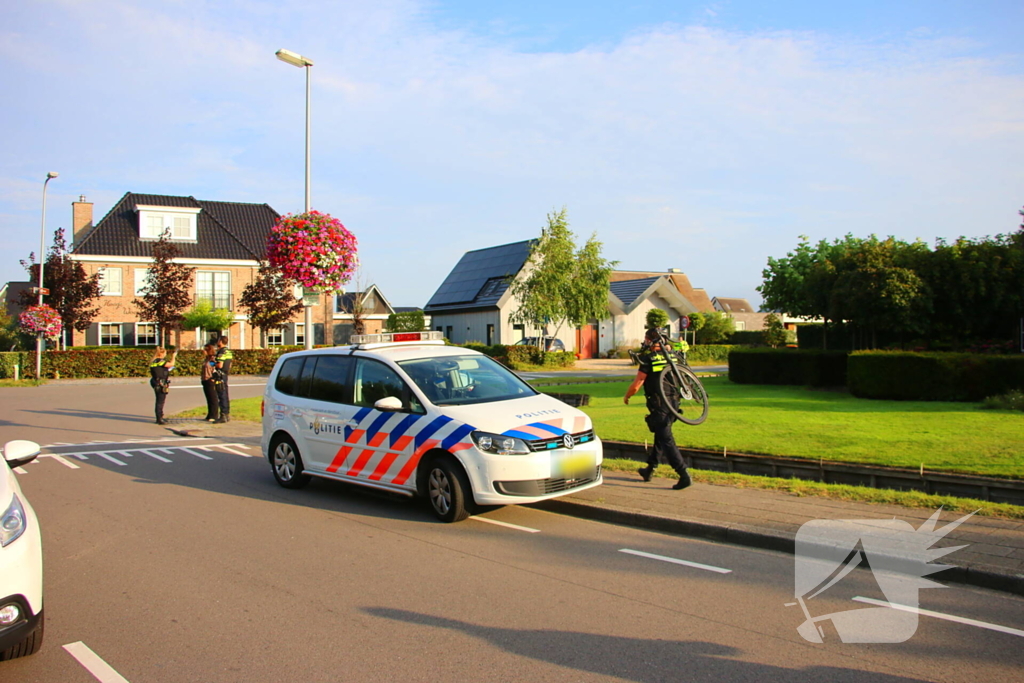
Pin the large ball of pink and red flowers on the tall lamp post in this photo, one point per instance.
(315, 250)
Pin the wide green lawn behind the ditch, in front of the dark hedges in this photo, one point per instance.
(833, 425)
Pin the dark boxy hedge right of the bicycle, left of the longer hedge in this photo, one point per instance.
(770, 366)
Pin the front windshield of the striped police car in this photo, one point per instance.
(457, 380)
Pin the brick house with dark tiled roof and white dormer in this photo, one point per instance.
(223, 241)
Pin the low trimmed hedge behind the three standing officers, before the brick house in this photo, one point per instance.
(126, 363)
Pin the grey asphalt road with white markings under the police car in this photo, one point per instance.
(183, 561)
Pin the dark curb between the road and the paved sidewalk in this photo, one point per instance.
(758, 538)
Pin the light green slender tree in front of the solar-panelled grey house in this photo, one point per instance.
(562, 284)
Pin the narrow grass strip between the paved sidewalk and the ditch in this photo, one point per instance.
(908, 499)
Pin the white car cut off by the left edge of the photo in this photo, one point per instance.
(21, 561)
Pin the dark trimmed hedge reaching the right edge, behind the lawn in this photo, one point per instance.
(913, 376)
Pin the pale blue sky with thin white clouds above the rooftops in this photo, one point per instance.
(702, 137)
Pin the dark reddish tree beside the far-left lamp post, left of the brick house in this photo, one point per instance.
(73, 292)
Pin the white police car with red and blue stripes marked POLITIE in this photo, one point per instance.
(406, 414)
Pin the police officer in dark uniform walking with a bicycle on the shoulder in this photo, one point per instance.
(661, 419)
